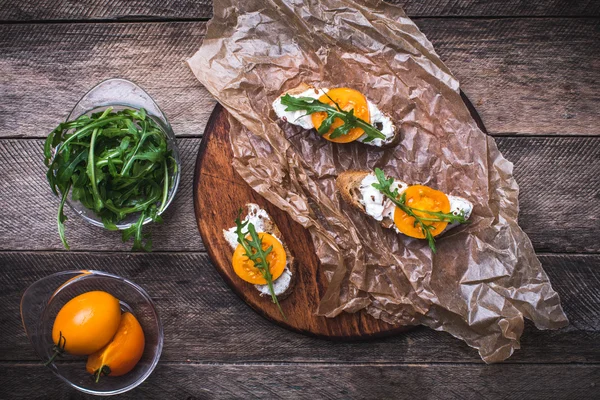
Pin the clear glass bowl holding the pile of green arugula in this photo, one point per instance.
(119, 94)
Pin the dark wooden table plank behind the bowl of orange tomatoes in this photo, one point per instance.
(205, 322)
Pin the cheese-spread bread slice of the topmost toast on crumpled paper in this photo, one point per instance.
(294, 117)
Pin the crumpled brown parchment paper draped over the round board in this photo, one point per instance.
(485, 277)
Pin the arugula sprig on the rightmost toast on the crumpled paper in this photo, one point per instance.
(385, 187)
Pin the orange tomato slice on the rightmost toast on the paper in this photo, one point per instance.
(422, 198)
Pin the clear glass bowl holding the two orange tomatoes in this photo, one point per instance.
(42, 301)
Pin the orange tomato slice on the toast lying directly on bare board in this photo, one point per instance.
(245, 269)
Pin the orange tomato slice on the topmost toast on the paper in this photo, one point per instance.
(347, 99)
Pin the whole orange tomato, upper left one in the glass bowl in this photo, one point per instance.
(86, 323)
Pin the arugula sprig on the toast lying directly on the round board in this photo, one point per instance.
(255, 252)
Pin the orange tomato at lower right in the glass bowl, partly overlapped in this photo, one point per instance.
(123, 353)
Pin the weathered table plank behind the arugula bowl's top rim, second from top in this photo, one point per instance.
(533, 76)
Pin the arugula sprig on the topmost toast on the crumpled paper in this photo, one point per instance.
(311, 106)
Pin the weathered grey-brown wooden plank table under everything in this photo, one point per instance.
(532, 69)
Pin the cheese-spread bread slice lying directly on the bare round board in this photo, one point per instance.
(283, 285)
